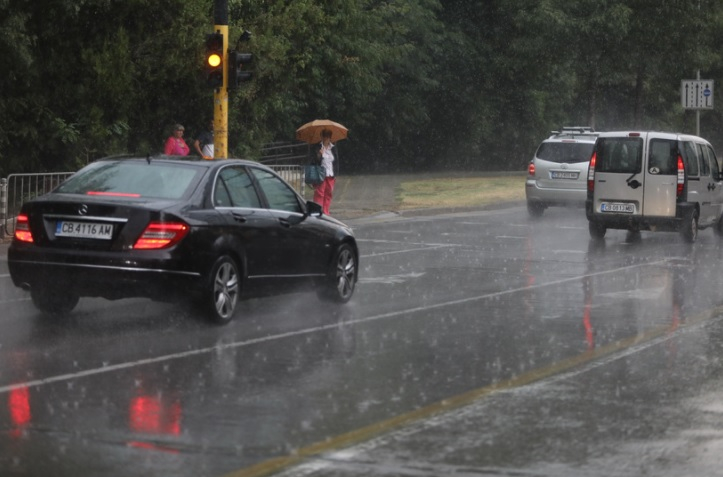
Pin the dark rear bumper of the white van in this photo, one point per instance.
(641, 222)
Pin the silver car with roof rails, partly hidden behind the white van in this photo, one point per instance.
(557, 174)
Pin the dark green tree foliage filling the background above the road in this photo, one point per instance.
(420, 83)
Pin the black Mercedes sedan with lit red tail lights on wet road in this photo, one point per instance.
(167, 228)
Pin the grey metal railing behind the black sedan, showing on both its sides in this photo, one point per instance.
(18, 188)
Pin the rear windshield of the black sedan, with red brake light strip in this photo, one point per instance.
(133, 179)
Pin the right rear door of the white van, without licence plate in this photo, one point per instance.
(661, 176)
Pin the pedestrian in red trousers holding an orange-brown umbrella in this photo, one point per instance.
(320, 133)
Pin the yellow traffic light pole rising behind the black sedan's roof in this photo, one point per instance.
(220, 95)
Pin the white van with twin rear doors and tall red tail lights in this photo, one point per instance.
(653, 181)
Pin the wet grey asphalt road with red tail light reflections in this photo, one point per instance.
(481, 343)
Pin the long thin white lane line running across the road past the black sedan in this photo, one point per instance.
(265, 339)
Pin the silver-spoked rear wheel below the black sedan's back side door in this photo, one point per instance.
(223, 290)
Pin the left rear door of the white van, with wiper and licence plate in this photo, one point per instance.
(618, 180)
